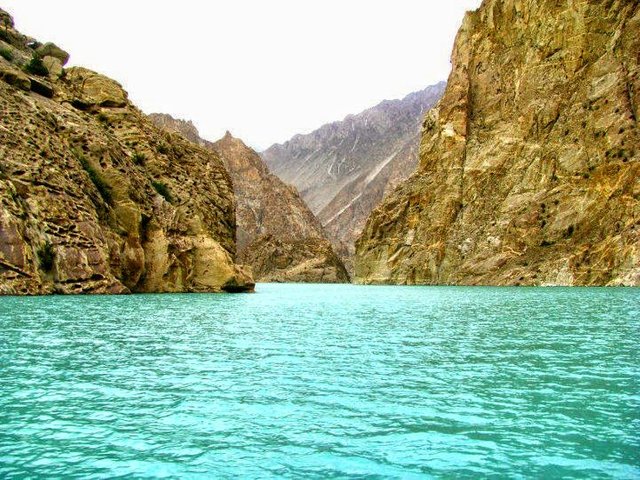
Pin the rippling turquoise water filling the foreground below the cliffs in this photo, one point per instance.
(311, 381)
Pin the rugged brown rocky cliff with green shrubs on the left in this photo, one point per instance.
(94, 198)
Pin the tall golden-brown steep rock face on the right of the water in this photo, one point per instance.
(529, 167)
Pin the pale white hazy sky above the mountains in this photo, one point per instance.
(265, 70)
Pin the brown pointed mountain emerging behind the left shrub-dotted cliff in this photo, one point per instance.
(278, 236)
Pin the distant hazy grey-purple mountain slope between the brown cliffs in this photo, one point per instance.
(344, 169)
